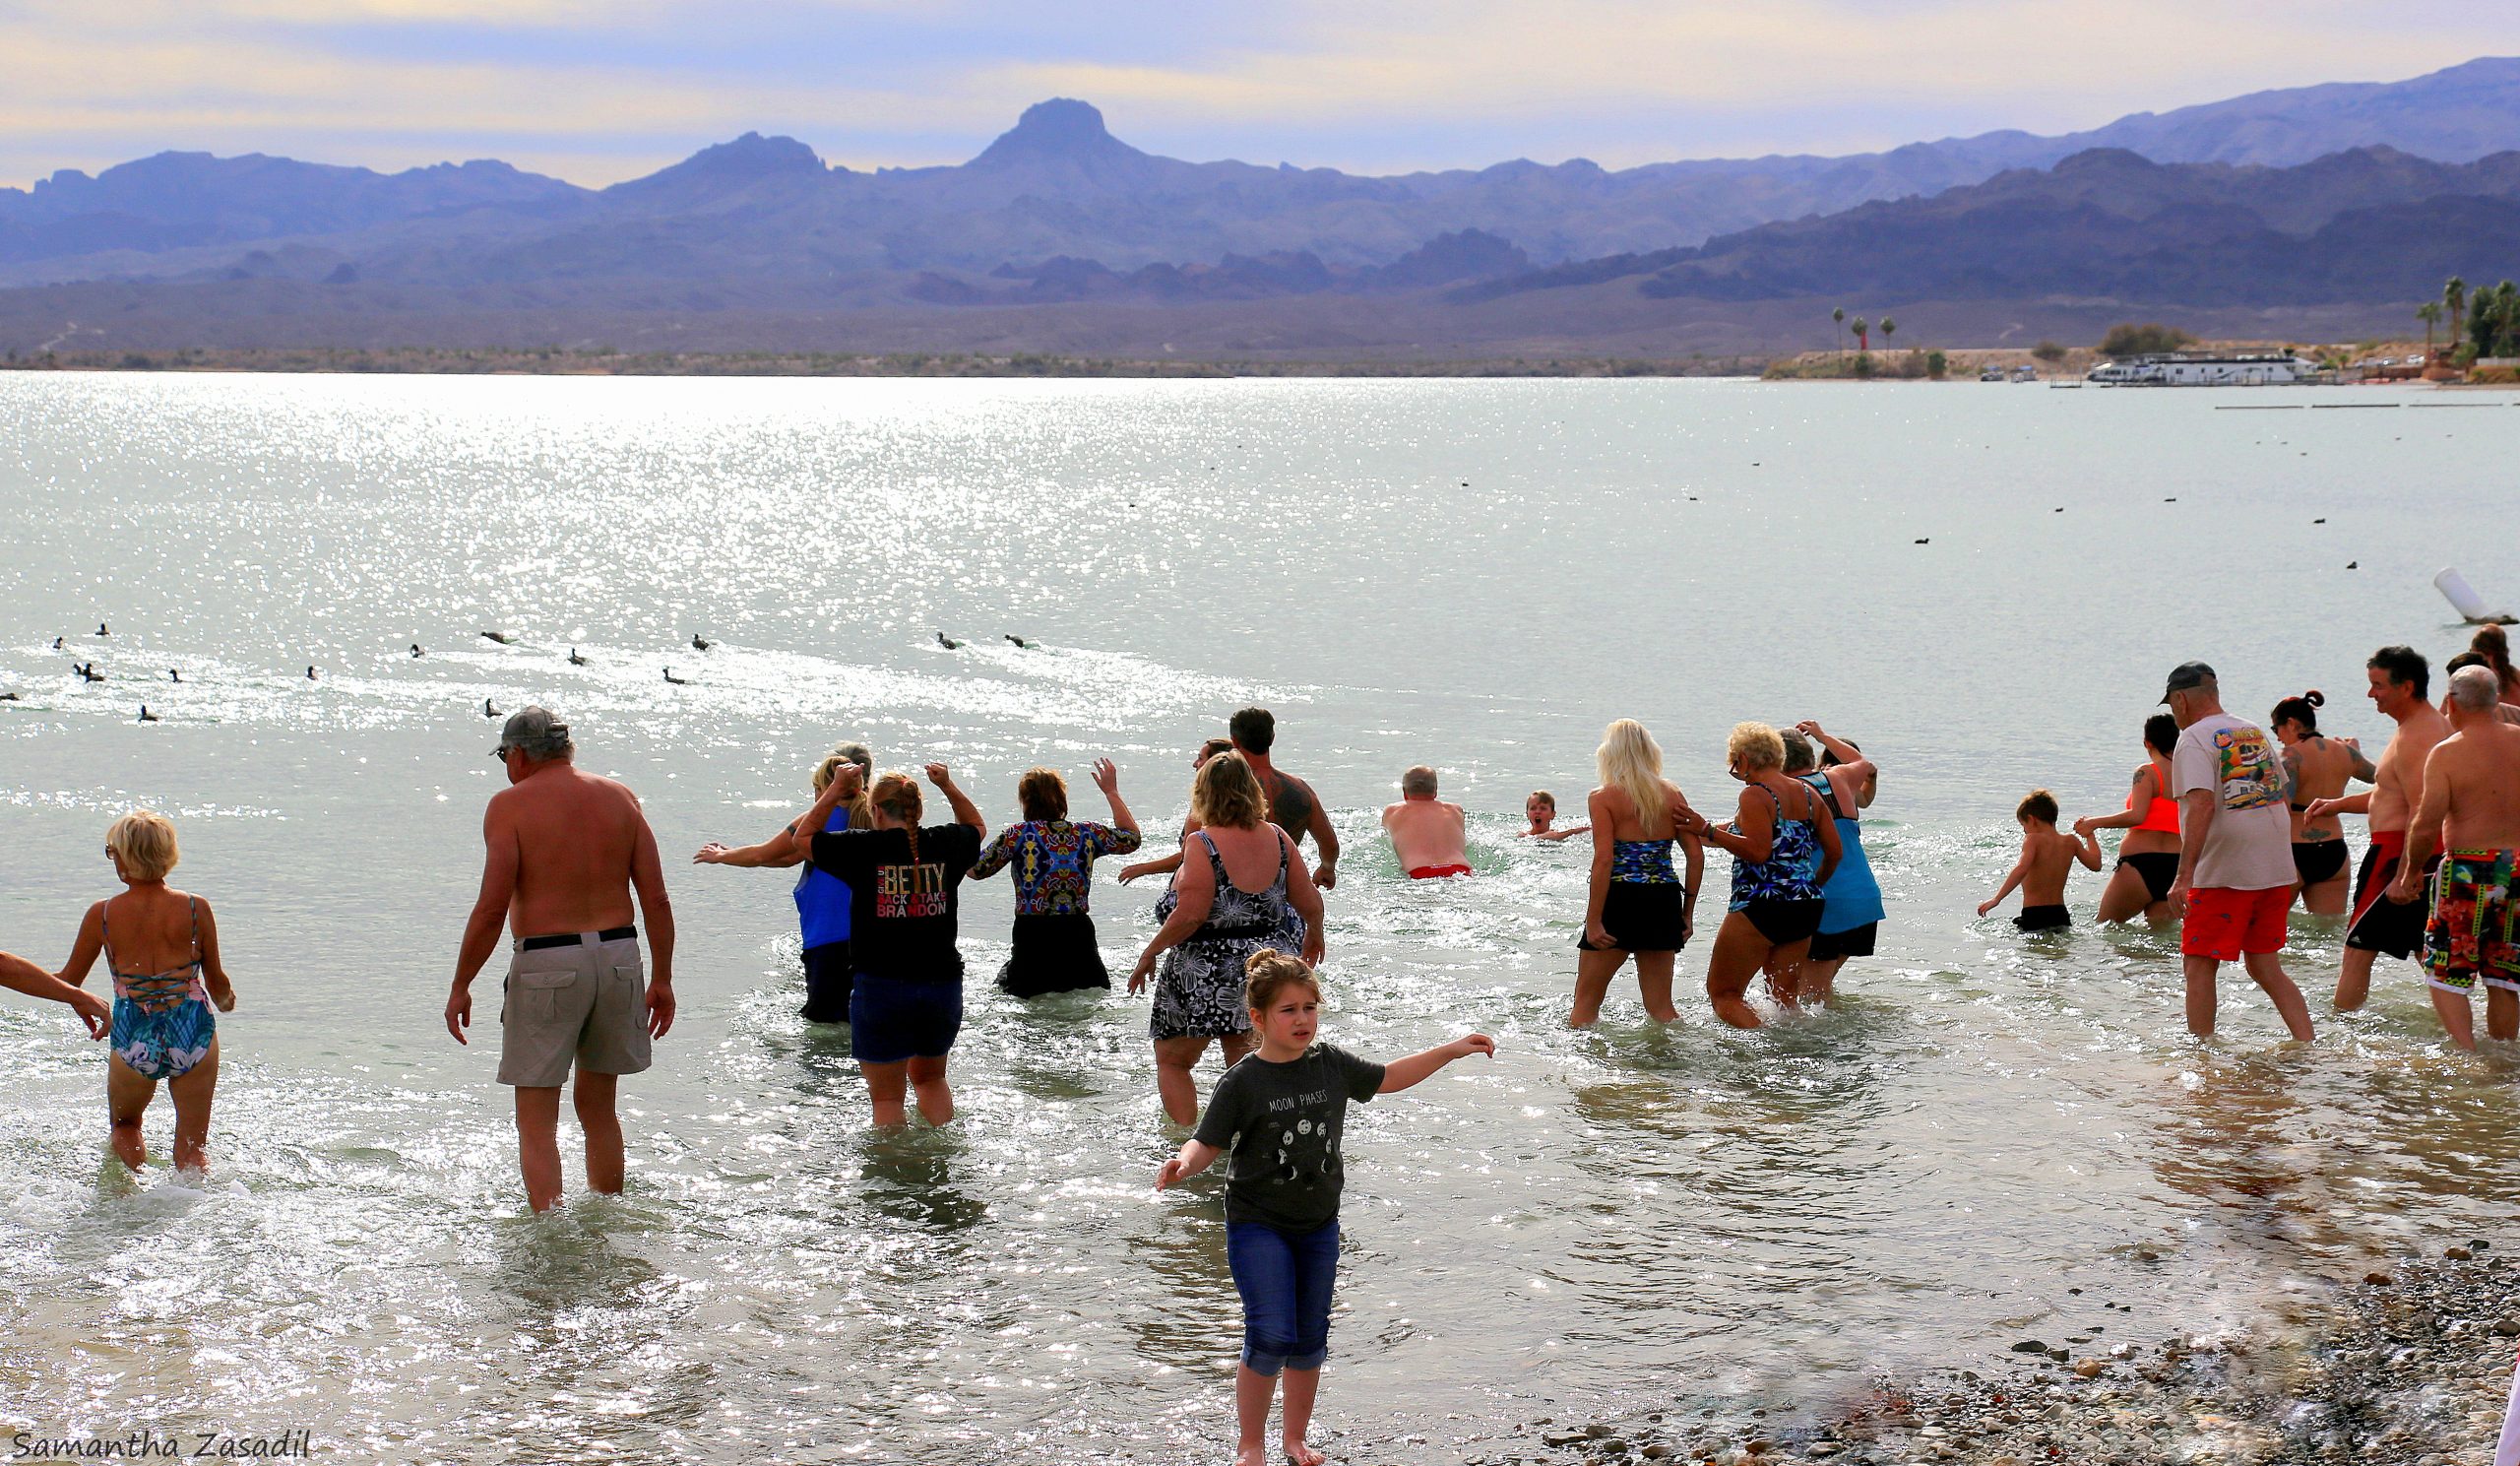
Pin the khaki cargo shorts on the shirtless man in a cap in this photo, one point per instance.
(583, 1004)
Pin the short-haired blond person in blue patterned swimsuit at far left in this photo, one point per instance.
(163, 951)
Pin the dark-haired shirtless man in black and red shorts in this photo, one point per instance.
(2400, 686)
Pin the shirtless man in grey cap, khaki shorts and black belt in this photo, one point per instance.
(566, 853)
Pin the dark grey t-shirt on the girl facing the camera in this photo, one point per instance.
(1279, 1125)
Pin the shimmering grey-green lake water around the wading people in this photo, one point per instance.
(1473, 576)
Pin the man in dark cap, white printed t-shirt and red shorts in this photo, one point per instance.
(2236, 850)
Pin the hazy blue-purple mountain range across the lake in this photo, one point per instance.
(2315, 198)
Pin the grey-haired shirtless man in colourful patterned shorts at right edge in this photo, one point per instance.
(2473, 802)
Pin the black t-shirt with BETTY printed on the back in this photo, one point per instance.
(901, 911)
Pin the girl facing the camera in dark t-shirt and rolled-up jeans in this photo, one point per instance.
(1281, 1115)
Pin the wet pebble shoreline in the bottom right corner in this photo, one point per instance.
(2403, 1369)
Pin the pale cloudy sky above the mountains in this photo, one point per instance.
(611, 89)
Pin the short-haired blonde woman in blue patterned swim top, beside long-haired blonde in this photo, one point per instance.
(1785, 850)
